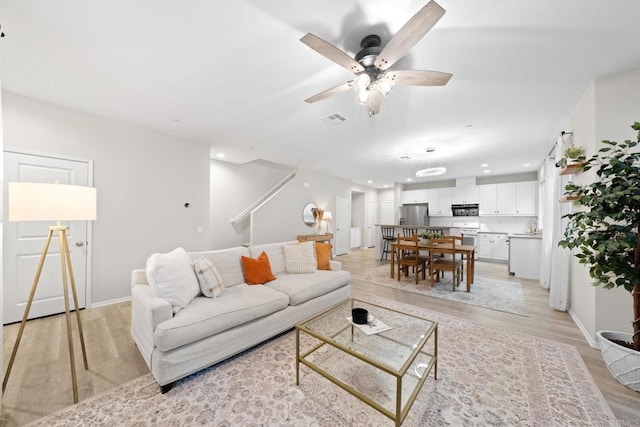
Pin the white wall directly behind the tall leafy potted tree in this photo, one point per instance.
(607, 109)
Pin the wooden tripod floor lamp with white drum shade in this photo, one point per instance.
(53, 202)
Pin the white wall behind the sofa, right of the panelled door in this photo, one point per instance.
(143, 179)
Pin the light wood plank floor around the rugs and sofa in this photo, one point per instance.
(40, 382)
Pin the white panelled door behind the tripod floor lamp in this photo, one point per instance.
(24, 241)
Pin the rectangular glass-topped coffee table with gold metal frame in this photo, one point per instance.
(386, 370)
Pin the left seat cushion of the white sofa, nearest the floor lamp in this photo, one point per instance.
(205, 317)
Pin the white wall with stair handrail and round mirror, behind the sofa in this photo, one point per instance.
(278, 220)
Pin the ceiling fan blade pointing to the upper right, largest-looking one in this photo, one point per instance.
(409, 34)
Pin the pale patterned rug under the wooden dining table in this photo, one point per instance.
(488, 293)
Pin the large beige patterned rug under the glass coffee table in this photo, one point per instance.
(486, 377)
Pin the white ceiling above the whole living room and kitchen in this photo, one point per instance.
(234, 75)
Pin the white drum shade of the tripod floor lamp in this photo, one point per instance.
(30, 201)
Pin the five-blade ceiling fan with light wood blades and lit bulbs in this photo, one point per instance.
(371, 65)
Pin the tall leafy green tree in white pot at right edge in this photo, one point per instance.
(606, 236)
